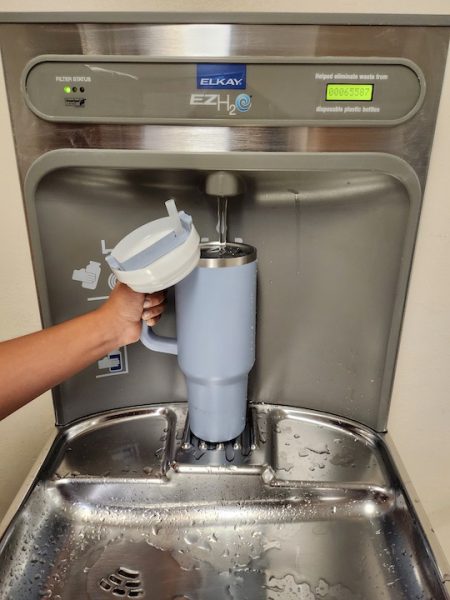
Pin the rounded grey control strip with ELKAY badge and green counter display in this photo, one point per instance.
(316, 91)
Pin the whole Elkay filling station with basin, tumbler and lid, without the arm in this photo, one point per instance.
(248, 456)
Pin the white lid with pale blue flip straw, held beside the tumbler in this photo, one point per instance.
(159, 254)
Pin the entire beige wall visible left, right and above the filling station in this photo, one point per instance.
(420, 415)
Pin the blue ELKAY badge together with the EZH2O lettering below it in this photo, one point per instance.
(222, 77)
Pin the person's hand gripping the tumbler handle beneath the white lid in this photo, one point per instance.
(125, 308)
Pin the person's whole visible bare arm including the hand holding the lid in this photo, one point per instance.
(34, 363)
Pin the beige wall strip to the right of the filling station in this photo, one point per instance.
(420, 411)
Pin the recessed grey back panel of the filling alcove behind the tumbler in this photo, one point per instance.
(333, 266)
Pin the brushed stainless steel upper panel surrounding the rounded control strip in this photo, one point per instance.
(412, 141)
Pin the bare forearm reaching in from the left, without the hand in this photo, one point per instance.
(34, 363)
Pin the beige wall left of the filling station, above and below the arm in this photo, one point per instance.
(21, 435)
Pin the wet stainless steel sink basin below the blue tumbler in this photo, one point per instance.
(129, 505)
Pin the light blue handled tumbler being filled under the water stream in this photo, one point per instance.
(215, 343)
